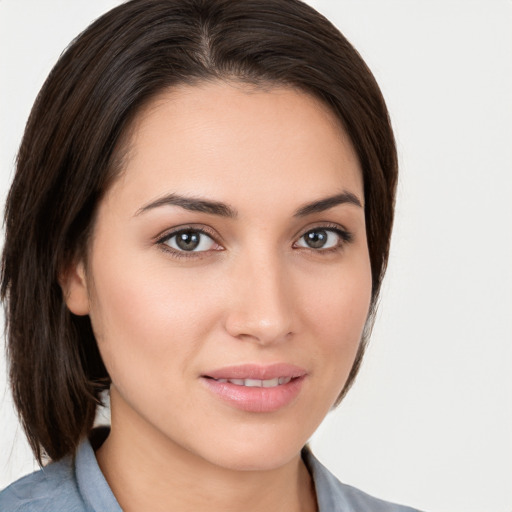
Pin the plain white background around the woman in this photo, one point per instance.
(429, 421)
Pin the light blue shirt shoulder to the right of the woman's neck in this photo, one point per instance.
(335, 496)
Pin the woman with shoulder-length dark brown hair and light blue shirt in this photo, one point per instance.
(200, 223)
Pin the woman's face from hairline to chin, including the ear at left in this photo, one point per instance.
(228, 279)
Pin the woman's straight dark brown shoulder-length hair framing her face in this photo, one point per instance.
(70, 154)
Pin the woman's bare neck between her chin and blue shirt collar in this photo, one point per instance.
(147, 471)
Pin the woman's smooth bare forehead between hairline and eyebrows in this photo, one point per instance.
(233, 142)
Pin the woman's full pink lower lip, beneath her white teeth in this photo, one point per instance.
(256, 399)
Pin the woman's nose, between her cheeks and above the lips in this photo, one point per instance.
(261, 306)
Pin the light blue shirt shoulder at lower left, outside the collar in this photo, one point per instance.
(47, 490)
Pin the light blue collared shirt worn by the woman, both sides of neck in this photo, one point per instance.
(79, 486)
